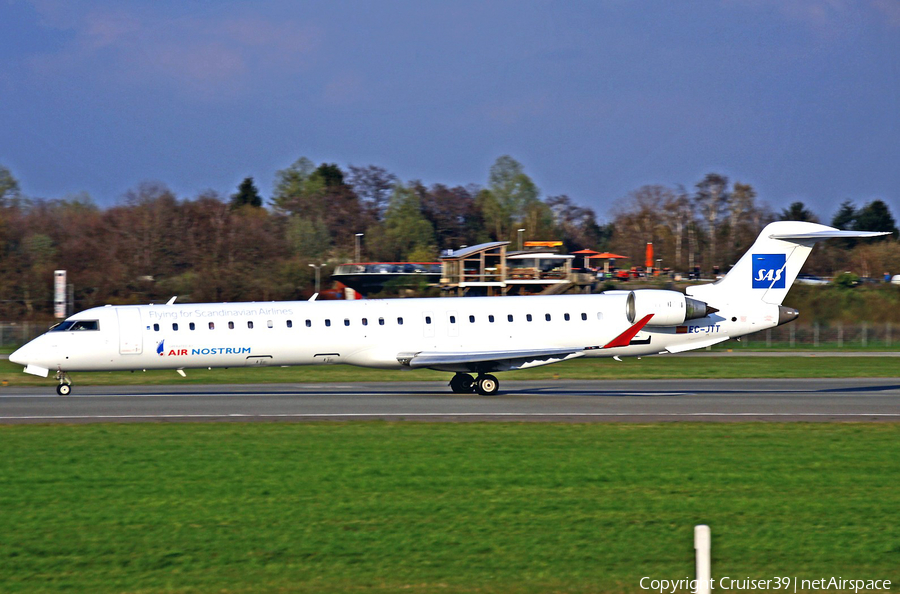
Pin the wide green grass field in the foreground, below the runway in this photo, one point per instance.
(379, 507)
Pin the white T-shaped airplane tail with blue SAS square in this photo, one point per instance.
(767, 270)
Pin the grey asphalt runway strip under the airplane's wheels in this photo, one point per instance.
(635, 401)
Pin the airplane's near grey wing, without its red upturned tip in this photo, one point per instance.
(517, 359)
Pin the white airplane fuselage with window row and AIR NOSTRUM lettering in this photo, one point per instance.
(370, 333)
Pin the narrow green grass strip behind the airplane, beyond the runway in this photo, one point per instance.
(665, 367)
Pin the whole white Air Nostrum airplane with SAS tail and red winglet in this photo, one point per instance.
(462, 335)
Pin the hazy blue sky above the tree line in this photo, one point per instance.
(800, 98)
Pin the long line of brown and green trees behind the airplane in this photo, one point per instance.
(154, 244)
